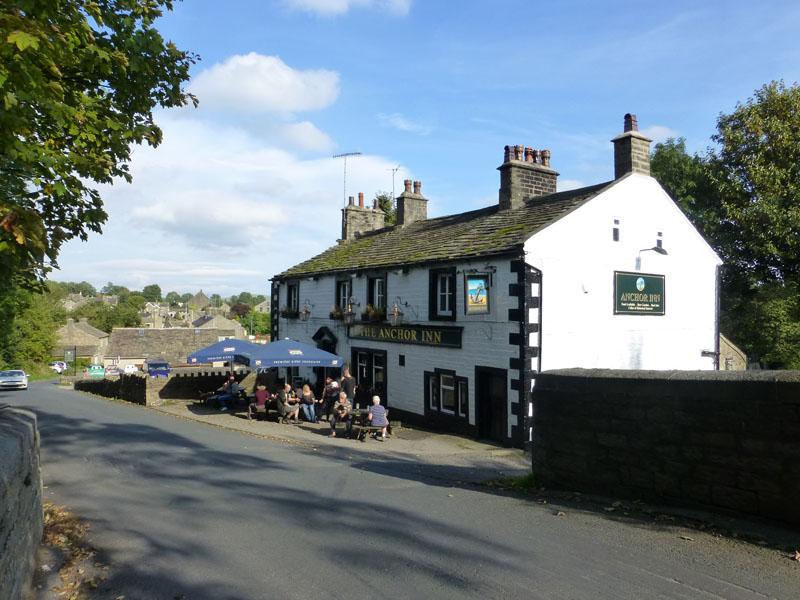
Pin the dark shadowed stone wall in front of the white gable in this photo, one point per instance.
(713, 439)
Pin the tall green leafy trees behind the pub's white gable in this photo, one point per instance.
(743, 196)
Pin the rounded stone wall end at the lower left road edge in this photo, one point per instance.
(21, 521)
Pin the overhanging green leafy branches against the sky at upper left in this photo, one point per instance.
(79, 81)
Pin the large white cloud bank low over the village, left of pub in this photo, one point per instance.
(218, 207)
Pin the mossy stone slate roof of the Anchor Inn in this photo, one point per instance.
(482, 232)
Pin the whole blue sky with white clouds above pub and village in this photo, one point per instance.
(245, 186)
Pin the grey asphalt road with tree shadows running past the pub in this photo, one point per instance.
(185, 510)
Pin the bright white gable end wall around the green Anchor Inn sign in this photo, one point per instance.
(578, 256)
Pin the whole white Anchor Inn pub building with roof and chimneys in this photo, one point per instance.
(448, 319)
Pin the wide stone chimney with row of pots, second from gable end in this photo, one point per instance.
(525, 174)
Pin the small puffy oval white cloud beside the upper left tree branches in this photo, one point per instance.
(256, 83)
